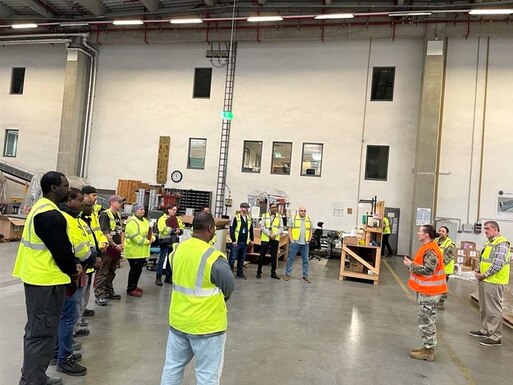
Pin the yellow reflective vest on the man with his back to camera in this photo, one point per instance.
(197, 305)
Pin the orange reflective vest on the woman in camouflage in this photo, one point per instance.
(429, 284)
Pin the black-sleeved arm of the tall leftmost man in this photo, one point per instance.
(51, 226)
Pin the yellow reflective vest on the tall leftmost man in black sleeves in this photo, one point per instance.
(34, 262)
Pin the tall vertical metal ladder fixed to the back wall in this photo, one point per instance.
(225, 131)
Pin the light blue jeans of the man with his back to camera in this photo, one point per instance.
(209, 353)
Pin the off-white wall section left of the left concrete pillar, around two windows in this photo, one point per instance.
(36, 113)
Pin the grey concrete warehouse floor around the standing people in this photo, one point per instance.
(324, 333)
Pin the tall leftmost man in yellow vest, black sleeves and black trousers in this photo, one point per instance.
(45, 263)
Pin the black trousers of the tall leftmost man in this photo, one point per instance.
(44, 305)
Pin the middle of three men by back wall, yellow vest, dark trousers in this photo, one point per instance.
(271, 227)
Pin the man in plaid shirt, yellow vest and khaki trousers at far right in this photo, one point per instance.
(493, 277)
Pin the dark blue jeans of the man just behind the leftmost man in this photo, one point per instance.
(69, 316)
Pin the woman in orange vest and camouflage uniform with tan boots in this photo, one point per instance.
(427, 278)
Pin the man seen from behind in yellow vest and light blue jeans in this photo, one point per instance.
(202, 282)
